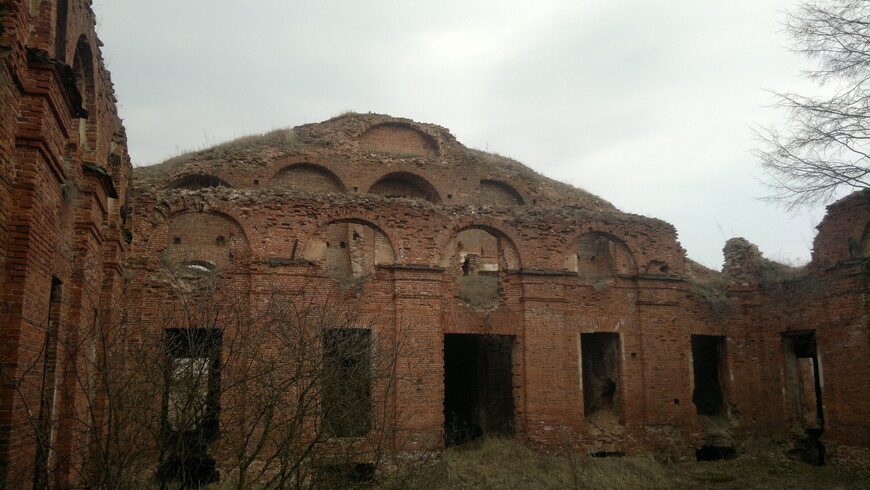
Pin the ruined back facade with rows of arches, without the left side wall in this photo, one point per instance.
(535, 308)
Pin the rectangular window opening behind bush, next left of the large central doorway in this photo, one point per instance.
(347, 390)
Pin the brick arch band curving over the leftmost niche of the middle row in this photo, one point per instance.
(166, 210)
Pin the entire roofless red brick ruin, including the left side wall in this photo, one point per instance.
(523, 305)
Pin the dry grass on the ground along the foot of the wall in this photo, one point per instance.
(504, 463)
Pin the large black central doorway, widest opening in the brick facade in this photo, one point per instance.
(478, 386)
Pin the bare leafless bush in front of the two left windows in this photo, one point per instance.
(220, 383)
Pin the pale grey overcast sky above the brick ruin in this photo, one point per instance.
(649, 105)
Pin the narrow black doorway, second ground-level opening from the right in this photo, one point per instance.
(706, 366)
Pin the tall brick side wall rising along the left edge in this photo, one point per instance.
(60, 180)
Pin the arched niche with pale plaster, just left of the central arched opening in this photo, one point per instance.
(349, 250)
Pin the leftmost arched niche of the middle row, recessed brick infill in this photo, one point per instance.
(200, 243)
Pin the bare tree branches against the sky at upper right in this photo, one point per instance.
(824, 147)
